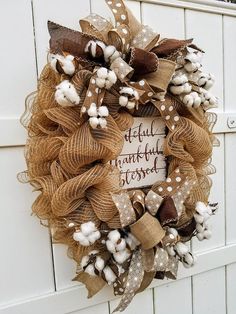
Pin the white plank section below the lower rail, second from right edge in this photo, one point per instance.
(209, 292)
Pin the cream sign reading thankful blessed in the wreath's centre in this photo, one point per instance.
(141, 161)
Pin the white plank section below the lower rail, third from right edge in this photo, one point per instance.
(174, 297)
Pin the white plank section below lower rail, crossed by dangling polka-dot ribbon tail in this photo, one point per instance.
(142, 303)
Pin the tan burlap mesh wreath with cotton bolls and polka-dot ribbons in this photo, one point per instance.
(95, 83)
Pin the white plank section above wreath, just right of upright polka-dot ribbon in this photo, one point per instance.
(167, 21)
